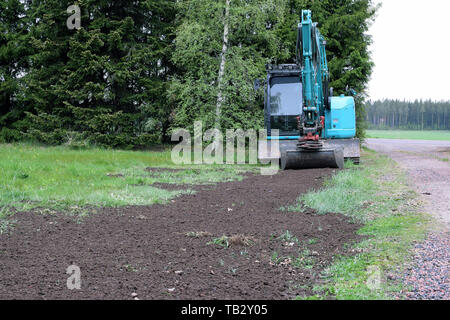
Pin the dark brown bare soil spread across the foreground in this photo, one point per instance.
(145, 250)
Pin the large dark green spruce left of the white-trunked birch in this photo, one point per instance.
(104, 83)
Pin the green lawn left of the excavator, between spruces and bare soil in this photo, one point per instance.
(65, 179)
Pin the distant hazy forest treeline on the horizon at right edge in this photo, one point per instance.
(416, 115)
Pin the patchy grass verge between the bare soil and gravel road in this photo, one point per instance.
(375, 194)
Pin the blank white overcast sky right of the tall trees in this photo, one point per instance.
(411, 50)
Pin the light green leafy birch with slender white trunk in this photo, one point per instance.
(221, 48)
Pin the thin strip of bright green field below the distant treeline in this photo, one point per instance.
(409, 134)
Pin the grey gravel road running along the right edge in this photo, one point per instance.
(426, 163)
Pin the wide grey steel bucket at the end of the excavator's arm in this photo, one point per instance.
(304, 159)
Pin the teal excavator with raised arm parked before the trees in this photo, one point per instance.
(315, 129)
